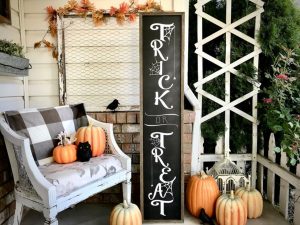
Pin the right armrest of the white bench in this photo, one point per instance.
(115, 149)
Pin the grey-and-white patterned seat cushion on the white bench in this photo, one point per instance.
(69, 177)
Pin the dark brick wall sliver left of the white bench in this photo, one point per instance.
(7, 200)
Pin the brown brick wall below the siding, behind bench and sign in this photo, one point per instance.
(127, 134)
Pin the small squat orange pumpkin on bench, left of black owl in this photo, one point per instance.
(65, 153)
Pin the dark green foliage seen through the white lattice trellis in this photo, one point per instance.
(241, 130)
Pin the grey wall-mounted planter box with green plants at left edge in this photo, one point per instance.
(12, 61)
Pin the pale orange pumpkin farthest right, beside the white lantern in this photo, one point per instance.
(252, 199)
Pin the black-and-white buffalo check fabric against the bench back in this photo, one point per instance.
(42, 126)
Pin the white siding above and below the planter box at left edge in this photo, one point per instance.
(11, 88)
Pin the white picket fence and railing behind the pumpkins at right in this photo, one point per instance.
(289, 189)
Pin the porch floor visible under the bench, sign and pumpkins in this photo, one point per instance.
(95, 214)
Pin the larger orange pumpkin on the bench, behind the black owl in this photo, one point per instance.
(95, 136)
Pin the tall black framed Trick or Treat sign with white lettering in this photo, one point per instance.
(161, 51)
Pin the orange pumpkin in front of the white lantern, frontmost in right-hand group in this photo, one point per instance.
(231, 210)
